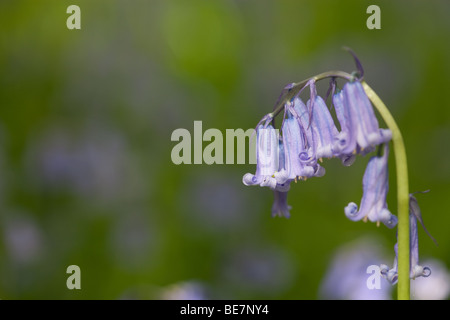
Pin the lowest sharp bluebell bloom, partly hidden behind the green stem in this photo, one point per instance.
(416, 270)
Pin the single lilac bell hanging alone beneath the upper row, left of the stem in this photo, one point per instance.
(375, 187)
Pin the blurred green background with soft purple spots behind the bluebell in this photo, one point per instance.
(86, 118)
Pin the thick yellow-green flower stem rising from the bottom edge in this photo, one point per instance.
(402, 194)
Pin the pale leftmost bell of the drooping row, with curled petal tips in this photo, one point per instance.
(267, 158)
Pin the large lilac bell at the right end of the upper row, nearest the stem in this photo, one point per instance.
(360, 132)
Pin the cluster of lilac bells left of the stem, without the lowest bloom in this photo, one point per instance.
(309, 134)
